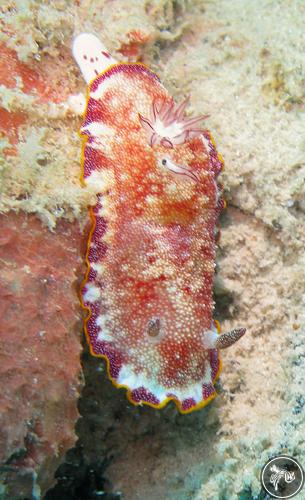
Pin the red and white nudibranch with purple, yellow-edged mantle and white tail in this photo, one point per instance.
(151, 250)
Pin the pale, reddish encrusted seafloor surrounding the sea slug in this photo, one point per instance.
(242, 62)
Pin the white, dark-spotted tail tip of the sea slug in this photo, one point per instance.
(91, 55)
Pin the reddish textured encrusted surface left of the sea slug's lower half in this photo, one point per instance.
(40, 347)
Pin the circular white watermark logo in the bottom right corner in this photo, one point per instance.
(282, 477)
